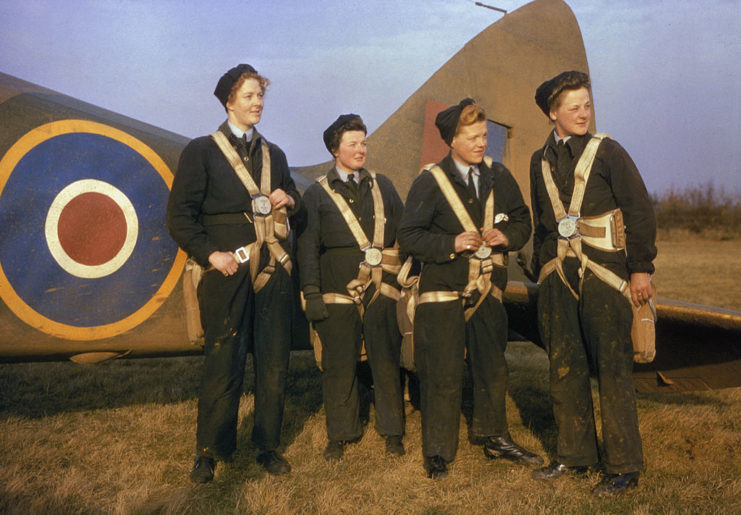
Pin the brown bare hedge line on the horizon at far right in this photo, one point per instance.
(700, 210)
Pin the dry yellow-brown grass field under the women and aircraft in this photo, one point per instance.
(118, 438)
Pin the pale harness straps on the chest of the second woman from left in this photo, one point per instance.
(368, 273)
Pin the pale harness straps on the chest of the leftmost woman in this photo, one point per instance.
(269, 226)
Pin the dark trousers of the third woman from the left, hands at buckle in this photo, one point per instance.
(441, 335)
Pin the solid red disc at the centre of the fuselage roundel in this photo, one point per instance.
(92, 228)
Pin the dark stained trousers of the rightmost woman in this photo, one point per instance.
(592, 332)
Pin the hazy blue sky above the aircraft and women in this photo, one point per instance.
(666, 74)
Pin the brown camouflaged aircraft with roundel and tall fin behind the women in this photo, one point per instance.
(87, 268)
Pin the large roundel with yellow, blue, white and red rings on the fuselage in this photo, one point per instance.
(41, 175)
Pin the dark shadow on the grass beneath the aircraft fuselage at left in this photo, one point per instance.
(36, 390)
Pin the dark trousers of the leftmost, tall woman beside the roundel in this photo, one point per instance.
(236, 321)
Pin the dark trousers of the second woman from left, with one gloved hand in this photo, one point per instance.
(341, 335)
